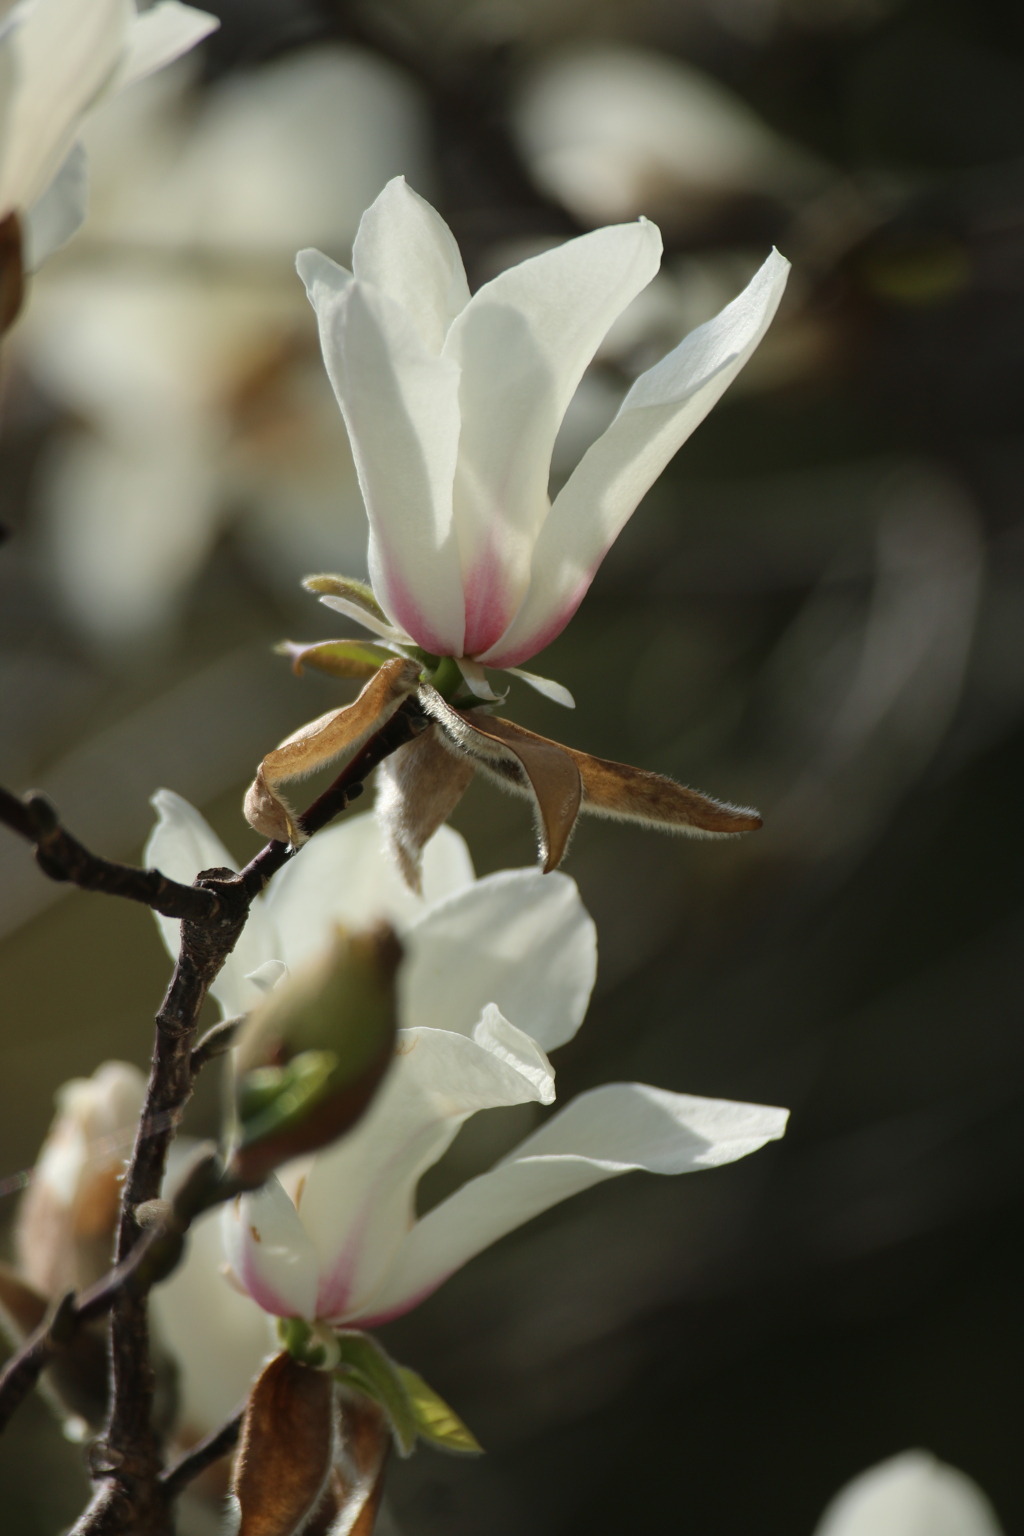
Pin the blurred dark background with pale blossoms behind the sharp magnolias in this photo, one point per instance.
(819, 611)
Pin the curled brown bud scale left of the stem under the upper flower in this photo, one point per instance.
(335, 735)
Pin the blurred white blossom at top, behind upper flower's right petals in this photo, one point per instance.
(613, 133)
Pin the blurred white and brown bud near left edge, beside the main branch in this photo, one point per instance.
(68, 1216)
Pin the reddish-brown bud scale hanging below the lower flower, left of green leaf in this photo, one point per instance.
(286, 1451)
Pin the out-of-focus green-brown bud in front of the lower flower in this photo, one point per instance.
(312, 1054)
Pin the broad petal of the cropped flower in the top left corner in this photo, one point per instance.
(65, 53)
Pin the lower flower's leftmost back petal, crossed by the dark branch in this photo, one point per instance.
(180, 846)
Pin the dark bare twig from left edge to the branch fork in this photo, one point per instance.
(64, 858)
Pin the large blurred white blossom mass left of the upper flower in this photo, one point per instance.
(180, 339)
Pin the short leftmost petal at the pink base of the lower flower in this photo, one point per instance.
(271, 1254)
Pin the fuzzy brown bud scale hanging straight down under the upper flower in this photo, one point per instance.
(418, 789)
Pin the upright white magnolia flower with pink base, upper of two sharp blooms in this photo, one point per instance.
(454, 405)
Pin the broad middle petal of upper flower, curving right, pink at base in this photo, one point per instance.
(523, 345)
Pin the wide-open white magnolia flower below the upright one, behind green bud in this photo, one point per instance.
(498, 975)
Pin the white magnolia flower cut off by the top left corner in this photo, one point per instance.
(59, 59)
